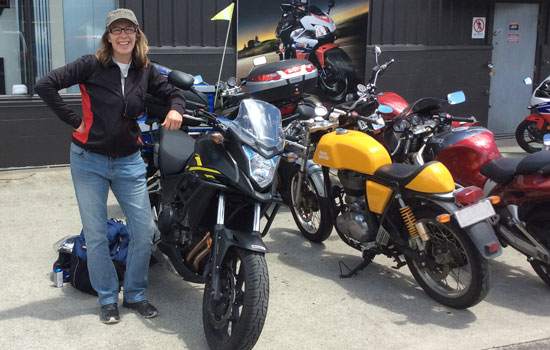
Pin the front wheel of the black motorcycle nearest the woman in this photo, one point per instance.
(236, 320)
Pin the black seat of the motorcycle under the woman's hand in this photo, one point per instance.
(174, 150)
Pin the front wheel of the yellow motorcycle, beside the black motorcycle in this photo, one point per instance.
(312, 212)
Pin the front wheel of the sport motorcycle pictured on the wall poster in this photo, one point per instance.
(337, 76)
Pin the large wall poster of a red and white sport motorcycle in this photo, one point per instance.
(331, 34)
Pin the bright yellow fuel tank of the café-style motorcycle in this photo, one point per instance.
(352, 150)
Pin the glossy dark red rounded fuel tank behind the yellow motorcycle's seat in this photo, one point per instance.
(463, 150)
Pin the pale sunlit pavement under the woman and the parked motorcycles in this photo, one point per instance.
(310, 307)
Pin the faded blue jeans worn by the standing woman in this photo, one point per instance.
(92, 176)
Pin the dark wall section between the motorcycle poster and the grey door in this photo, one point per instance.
(431, 42)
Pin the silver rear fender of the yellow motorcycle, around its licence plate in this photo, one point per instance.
(482, 234)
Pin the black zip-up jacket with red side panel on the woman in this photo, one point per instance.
(109, 115)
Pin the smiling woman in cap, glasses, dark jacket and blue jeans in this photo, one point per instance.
(105, 152)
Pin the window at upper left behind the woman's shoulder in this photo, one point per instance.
(40, 35)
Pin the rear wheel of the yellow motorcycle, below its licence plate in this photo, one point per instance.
(462, 276)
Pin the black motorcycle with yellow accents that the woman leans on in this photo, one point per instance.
(208, 197)
